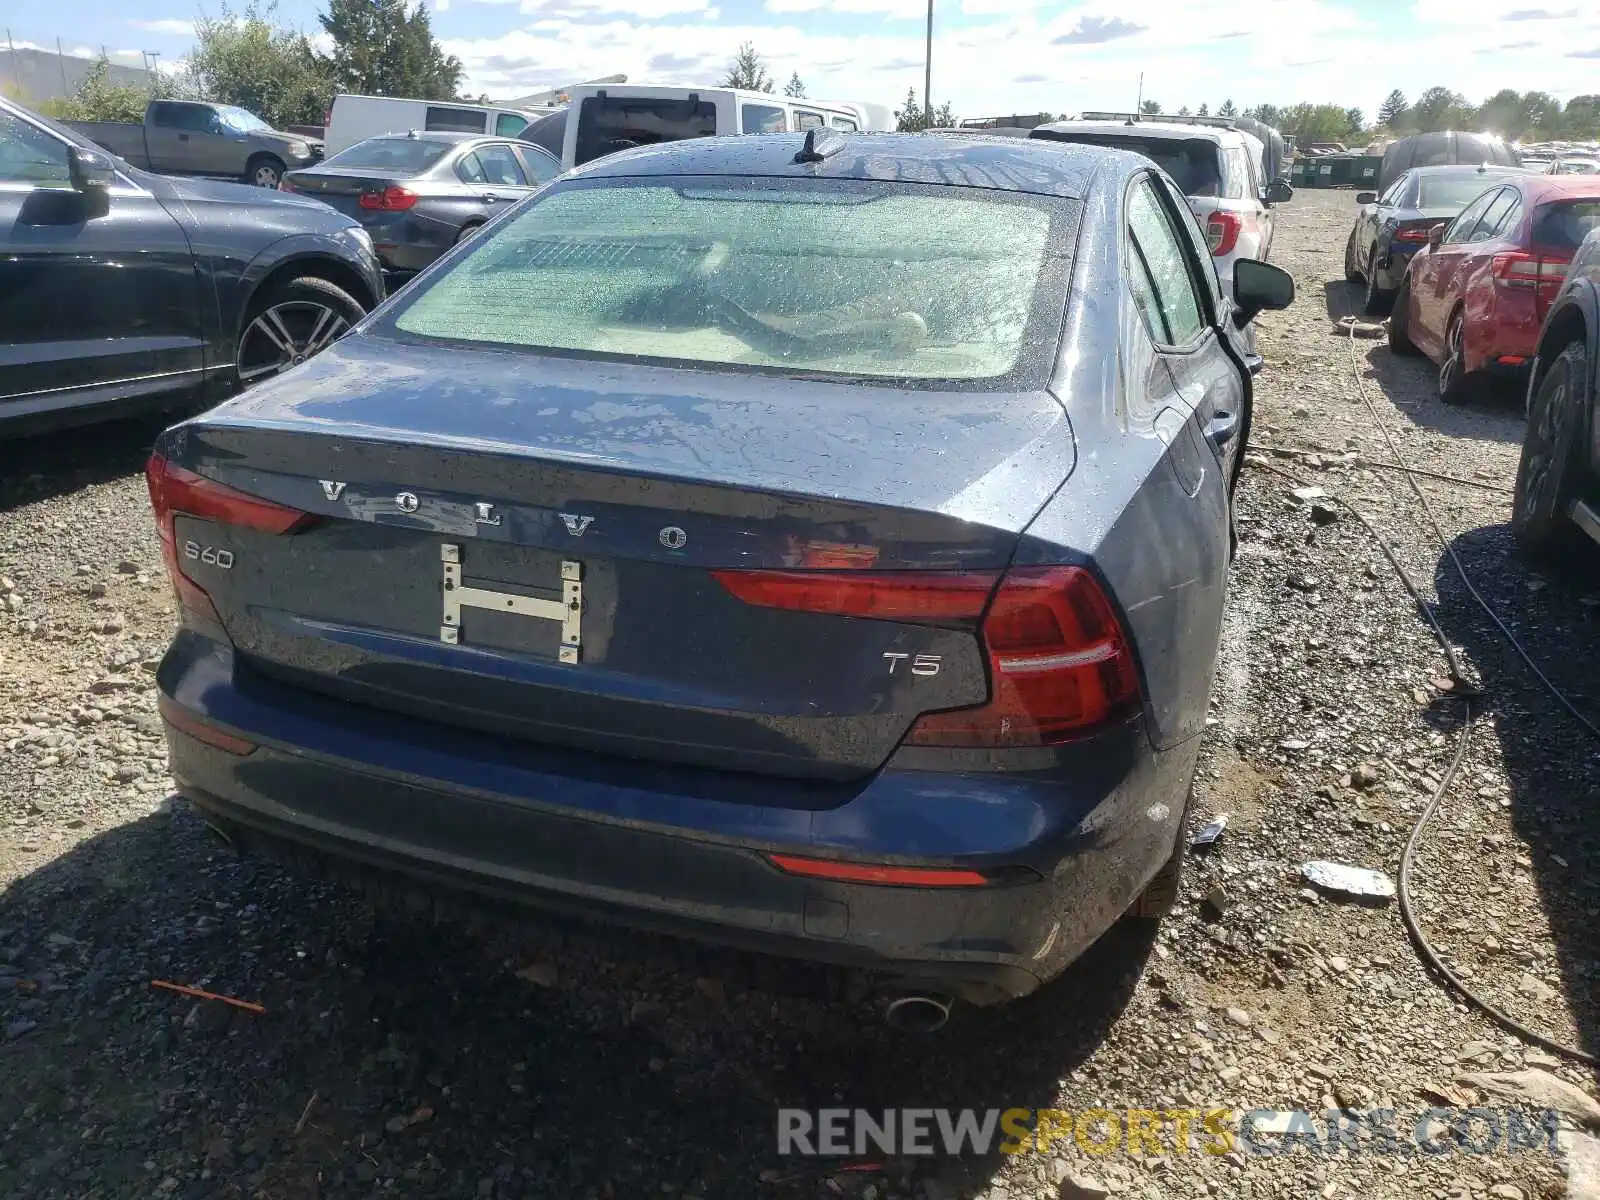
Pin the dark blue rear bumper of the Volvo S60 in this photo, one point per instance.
(553, 831)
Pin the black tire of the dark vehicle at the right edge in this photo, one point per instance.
(1550, 473)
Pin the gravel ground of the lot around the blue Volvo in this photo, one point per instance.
(410, 1054)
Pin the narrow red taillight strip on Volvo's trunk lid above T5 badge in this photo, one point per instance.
(884, 596)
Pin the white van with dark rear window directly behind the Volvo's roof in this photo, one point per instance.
(604, 119)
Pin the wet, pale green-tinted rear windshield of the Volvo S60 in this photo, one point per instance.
(854, 279)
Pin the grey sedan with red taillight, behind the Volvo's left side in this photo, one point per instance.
(418, 194)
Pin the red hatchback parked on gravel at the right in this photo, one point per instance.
(1474, 300)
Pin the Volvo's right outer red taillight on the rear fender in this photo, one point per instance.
(1060, 666)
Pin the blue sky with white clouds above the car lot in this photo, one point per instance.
(990, 57)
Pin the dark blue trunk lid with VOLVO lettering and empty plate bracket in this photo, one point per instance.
(532, 548)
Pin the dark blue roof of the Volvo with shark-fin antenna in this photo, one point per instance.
(961, 161)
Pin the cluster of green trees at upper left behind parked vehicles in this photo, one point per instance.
(252, 60)
